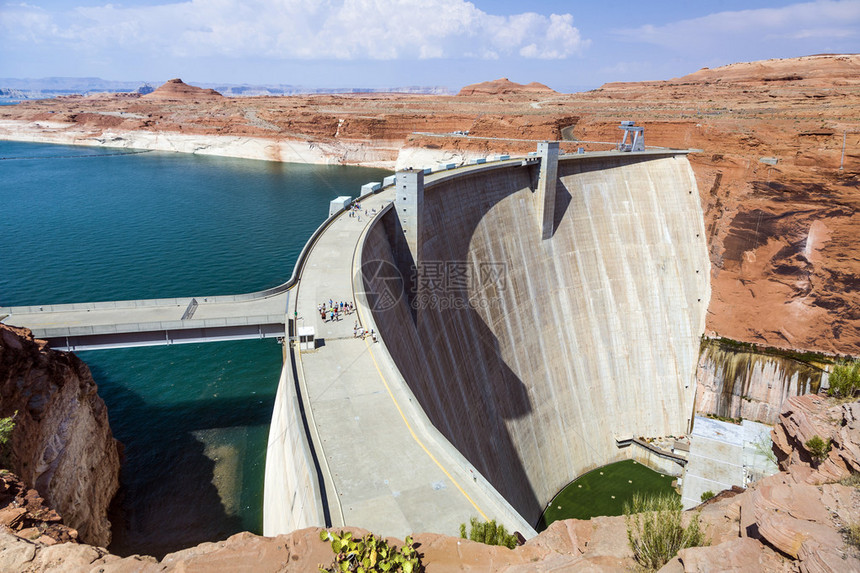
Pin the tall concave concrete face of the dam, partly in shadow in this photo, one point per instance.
(533, 355)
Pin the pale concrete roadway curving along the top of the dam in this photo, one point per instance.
(385, 467)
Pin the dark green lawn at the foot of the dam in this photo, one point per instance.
(604, 491)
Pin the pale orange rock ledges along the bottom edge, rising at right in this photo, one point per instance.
(792, 521)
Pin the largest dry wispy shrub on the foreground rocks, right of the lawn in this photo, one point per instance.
(656, 532)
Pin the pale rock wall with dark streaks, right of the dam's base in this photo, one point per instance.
(740, 383)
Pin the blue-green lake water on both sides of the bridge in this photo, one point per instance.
(86, 224)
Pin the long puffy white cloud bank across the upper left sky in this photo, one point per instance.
(298, 29)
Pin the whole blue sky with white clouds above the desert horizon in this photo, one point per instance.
(569, 45)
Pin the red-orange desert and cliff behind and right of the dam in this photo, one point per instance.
(781, 200)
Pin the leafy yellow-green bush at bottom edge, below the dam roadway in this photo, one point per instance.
(370, 554)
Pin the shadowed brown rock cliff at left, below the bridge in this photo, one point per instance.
(62, 444)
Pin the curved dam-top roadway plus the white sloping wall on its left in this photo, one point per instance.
(383, 464)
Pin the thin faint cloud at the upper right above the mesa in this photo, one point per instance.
(823, 19)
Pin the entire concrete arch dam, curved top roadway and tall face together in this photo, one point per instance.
(490, 409)
